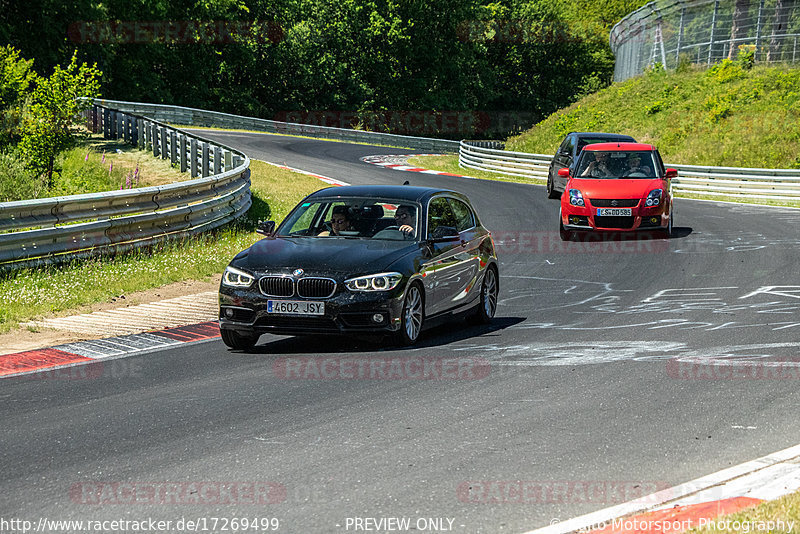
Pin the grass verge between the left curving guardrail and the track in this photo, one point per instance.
(32, 293)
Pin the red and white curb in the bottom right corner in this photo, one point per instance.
(694, 504)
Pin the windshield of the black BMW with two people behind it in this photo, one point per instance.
(353, 218)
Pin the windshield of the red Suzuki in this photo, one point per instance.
(599, 164)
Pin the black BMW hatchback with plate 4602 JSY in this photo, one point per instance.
(362, 259)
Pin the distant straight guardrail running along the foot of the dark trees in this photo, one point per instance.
(213, 119)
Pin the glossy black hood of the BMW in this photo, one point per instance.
(322, 255)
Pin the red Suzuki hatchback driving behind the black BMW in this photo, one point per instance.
(617, 187)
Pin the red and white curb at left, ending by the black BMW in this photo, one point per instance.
(86, 352)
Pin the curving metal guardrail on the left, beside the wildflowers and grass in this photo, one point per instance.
(52, 230)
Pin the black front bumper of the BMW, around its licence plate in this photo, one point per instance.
(245, 311)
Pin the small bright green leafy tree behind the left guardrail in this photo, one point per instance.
(54, 107)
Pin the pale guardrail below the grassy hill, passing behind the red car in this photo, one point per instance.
(775, 184)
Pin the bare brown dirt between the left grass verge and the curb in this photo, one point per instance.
(24, 339)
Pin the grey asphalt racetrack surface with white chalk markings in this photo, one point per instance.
(612, 369)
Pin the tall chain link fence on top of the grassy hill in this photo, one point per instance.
(671, 32)
